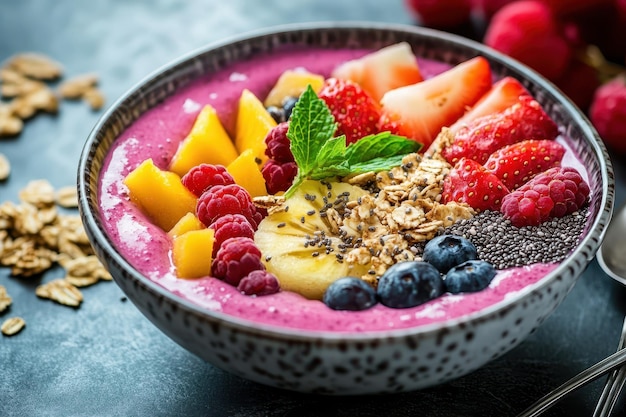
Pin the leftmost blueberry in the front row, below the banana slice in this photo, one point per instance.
(350, 293)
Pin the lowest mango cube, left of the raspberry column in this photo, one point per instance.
(192, 253)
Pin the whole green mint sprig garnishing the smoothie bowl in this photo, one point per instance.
(319, 155)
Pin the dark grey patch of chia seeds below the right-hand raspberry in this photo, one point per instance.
(505, 246)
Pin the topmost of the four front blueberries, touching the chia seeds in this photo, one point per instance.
(447, 251)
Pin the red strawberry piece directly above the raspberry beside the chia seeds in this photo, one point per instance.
(517, 163)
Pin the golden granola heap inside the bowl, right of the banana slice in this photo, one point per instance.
(402, 212)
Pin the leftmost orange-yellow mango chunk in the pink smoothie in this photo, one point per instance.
(160, 194)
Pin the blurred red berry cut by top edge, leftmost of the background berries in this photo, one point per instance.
(440, 13)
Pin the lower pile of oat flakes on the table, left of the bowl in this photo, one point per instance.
(36, 235)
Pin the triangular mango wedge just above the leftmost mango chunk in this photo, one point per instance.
(207, 142)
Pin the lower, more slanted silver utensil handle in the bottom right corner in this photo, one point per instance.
(590, 374)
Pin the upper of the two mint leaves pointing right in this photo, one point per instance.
(380, 145)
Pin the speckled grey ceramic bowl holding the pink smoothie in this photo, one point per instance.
(345, 363)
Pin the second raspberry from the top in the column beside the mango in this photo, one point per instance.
(220, 200)
